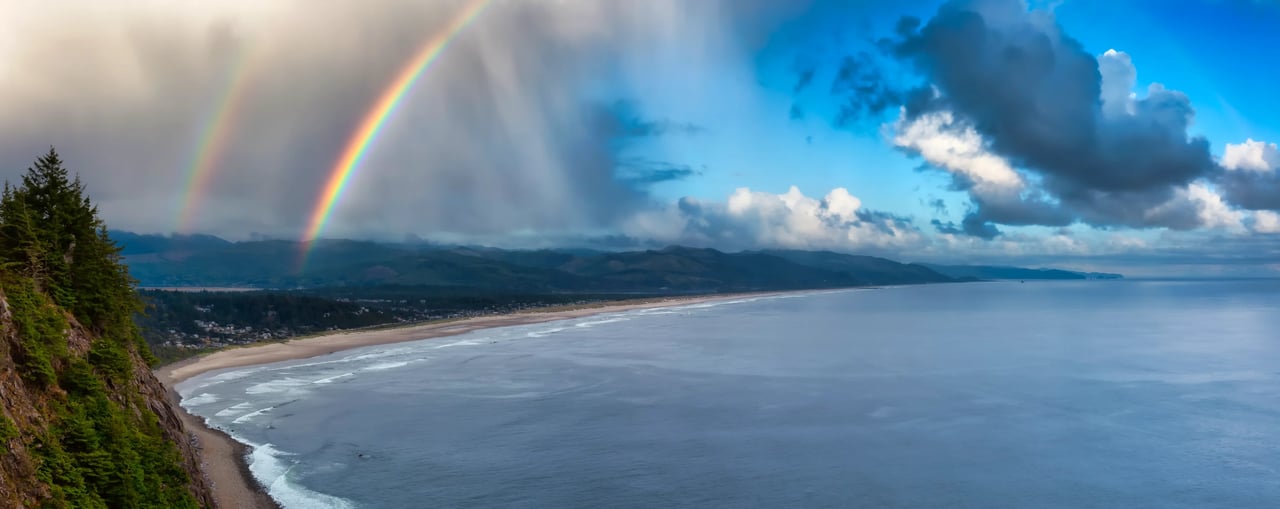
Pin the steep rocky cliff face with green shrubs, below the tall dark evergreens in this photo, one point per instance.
(134, 448)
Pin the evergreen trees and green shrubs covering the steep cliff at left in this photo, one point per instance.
(102, 446)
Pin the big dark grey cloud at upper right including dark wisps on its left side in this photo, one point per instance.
(1036, 97)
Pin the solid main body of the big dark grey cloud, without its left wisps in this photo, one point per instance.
(1035, 94)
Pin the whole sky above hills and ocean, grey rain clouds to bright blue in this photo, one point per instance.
(1136, 136)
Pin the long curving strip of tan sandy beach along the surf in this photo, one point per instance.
(225, 461)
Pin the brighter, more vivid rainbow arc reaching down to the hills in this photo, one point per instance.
(377, 117)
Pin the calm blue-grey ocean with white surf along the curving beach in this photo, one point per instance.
(1064, 395)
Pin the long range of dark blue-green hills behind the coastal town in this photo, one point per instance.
(186, 262)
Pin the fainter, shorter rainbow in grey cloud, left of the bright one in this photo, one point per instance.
(212, 141)
